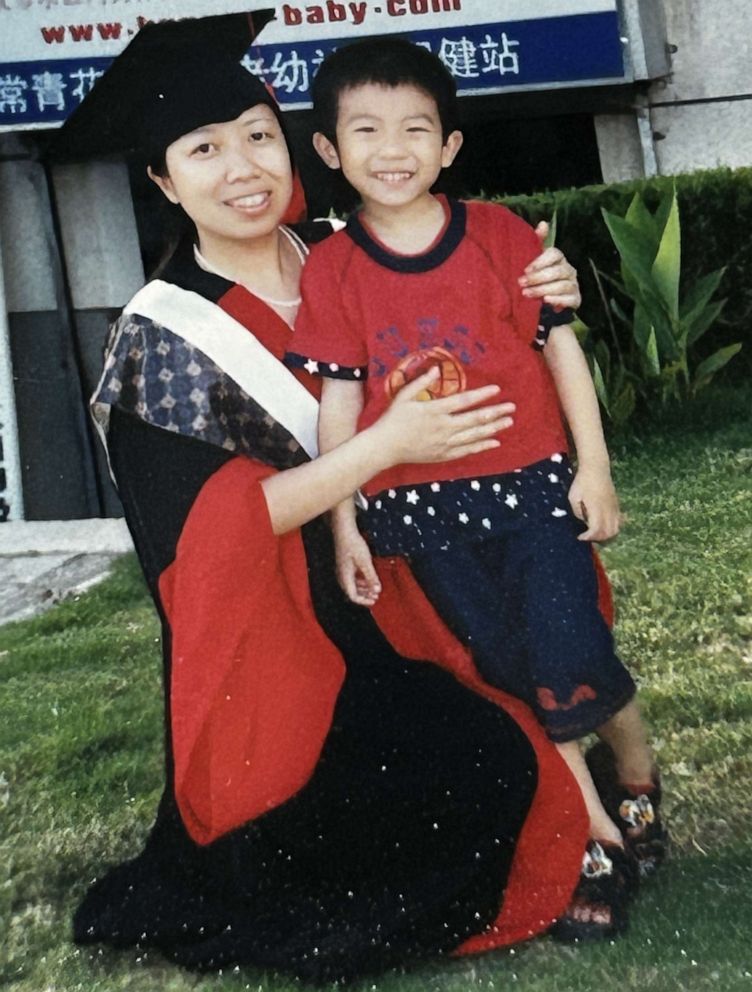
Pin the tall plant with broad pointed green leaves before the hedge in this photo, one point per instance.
(657, 360)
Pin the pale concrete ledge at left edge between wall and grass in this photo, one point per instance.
(49, 537)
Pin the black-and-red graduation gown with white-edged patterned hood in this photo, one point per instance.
(343, 793)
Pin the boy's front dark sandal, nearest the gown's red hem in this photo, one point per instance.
(599, 906)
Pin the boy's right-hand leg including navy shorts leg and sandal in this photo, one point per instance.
(572, 654)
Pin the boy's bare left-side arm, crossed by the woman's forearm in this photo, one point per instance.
(341, 404)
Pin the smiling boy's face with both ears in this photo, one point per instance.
(389, 143)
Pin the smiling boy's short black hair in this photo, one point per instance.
(388, 61)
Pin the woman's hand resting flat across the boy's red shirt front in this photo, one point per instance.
(414, 430)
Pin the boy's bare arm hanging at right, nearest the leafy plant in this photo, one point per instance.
(592, 494)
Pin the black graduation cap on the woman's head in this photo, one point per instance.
(173, 77)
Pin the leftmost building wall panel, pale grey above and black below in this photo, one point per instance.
(51, 429)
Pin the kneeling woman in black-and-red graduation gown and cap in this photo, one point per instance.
(331, 807)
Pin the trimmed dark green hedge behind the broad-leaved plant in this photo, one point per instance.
(716, 215)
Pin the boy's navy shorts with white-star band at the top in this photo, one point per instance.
(499, 559)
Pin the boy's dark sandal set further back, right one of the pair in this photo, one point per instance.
(635, 813)
